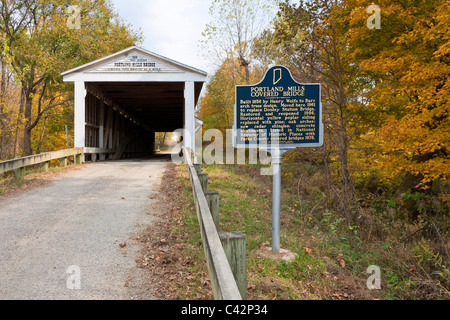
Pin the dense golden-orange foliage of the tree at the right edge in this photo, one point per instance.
(408, 63)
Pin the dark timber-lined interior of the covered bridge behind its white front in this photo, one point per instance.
(123, 117)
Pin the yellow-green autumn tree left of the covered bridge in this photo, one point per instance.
(40, 45)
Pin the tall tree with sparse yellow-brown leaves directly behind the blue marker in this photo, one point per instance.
(307, 40)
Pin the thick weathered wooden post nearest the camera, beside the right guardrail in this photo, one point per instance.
(234, 245)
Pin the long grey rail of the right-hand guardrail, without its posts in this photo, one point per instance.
(221, 275)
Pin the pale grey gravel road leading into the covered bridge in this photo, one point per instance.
(76, 237)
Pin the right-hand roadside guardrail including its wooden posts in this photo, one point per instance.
(225, 252)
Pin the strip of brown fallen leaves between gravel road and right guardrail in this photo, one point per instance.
(164, 257)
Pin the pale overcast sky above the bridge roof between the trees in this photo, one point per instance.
(171, 28)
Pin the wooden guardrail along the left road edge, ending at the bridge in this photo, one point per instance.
(18, 165)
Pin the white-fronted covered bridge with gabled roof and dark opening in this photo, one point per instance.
(122, 100)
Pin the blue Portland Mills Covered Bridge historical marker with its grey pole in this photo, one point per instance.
(278, 114)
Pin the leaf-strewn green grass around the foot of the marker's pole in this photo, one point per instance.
(332, 257)
